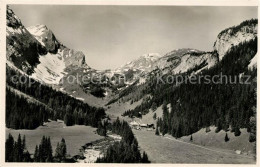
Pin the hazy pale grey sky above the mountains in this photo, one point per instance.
(113, 35)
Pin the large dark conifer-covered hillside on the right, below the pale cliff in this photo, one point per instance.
(195, 106)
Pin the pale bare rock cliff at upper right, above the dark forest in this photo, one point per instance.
(232, 36)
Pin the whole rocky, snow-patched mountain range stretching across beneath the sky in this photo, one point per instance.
(37, 52)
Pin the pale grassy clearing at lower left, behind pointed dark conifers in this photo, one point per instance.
(75, 136)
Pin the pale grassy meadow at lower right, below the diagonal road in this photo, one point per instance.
(169, 150)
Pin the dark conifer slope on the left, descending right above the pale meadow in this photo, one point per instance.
(30, 116)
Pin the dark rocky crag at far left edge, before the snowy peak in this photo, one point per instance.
(22, 49)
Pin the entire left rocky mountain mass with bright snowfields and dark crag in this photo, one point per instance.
(36, 51)
